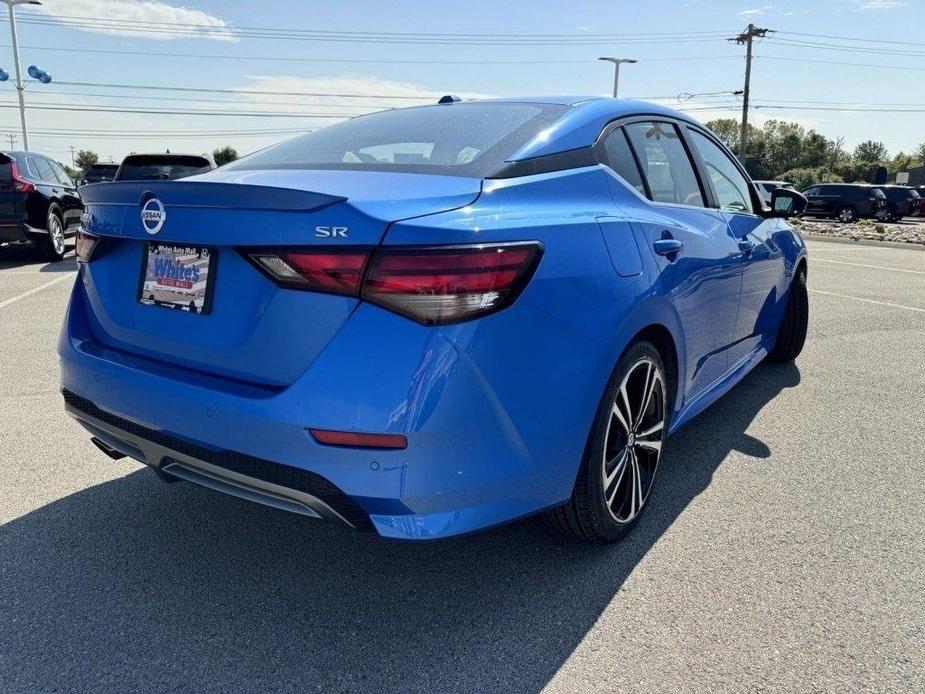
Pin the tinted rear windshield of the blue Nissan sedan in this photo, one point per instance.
(461, 139)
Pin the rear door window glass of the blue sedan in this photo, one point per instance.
(665, 163)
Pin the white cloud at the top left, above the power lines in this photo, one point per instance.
(170, 21)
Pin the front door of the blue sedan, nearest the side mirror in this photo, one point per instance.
(760, 259)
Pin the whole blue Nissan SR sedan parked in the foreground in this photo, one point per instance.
(511, 321)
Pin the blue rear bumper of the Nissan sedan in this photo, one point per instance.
(481, 449)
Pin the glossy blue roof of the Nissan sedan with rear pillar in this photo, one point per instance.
(582, 122)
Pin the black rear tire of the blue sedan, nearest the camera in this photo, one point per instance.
(587, 515)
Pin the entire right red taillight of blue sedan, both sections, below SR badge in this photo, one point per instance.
(432, 285)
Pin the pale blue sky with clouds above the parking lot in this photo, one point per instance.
(147, 75)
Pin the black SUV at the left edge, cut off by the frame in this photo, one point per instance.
(39, 203)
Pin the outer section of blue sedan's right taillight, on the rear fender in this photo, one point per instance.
(435, 286)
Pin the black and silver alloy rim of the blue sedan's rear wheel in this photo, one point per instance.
(633, 440)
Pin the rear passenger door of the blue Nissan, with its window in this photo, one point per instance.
(701, 276)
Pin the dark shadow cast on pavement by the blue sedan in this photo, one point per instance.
(134, 585)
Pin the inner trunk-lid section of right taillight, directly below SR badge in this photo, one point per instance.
(306, 268)
